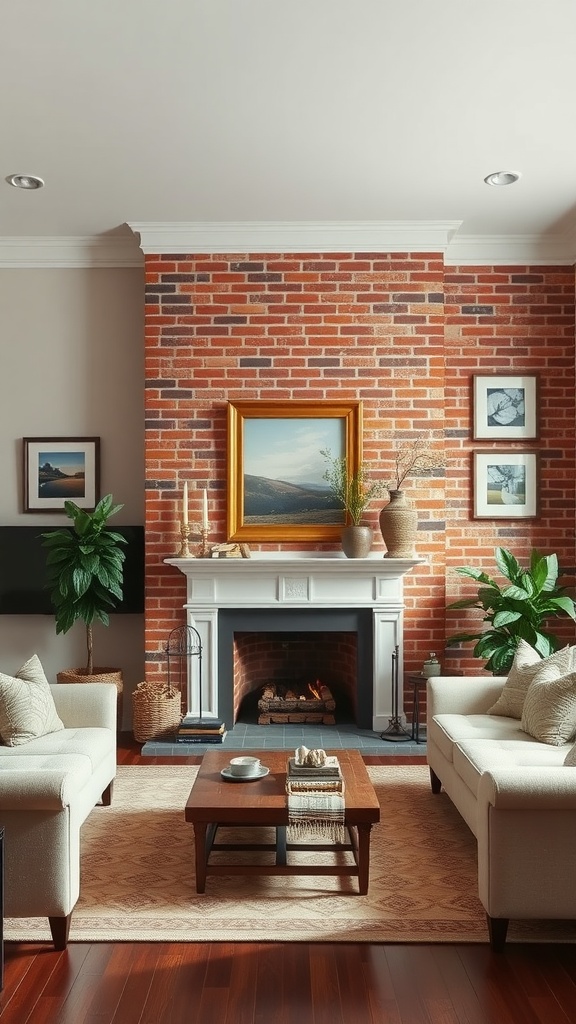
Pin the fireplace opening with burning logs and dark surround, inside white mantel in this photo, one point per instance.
(291, 651)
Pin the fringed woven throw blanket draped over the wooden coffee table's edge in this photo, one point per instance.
(316, 810)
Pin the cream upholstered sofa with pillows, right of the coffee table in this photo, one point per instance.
(516, 792)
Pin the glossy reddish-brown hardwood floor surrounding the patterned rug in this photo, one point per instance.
(292, 984)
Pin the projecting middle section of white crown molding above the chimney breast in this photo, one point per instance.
(296, 237)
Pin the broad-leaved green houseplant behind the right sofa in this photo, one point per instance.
(515, 611)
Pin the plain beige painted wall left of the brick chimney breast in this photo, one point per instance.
(72, 365)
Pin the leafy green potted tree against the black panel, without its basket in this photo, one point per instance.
(86, 568)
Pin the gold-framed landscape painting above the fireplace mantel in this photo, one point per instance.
(276, 486)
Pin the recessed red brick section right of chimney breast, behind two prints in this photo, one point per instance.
(513, 320)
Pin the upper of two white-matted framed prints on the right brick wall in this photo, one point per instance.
(505, 407)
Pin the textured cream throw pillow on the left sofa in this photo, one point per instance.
(27, 706)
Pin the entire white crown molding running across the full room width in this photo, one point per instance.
(285, 237)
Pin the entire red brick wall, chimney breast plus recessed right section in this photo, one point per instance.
(363, 327)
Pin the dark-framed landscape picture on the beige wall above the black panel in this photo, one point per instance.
(61, 470)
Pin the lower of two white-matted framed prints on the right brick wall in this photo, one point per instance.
(506, 485)
